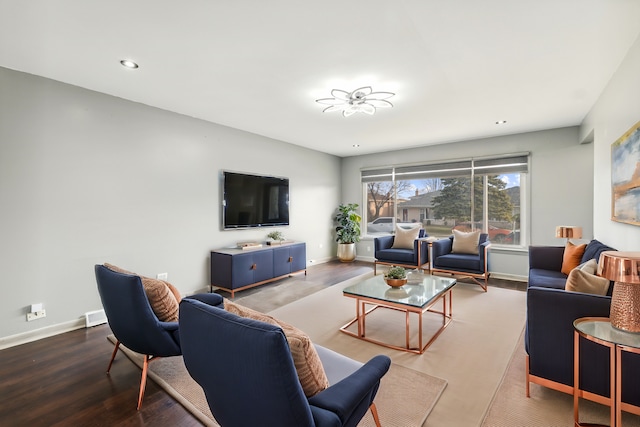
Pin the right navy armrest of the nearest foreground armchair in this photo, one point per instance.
(347, 395)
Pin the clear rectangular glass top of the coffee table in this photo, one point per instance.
(420, 289)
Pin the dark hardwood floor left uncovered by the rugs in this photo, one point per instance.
(62, 380)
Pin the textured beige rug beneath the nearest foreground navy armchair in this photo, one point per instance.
(400, 389)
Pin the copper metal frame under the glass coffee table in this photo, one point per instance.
(361, 314)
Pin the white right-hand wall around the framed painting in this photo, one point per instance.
(615, 112)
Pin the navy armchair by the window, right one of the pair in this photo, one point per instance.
(466, 265)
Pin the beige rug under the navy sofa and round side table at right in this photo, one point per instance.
(545, 407)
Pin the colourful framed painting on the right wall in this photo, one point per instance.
(625, 177)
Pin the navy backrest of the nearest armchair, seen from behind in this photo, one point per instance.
(244, 366)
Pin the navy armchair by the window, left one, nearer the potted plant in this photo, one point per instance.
(386, 254)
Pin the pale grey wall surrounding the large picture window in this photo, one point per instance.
(560, 181)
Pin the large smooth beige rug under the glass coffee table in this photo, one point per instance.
(471, 354)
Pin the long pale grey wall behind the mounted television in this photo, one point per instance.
(87, 178)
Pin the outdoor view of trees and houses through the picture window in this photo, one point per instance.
(441, 204)
